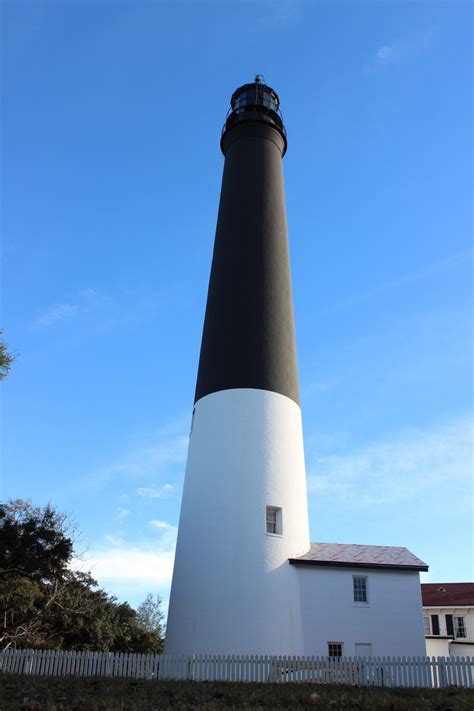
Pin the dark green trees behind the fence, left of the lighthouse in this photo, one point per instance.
(45, 604)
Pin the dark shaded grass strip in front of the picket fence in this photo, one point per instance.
(100, 694)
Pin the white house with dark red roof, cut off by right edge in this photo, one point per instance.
(448, 615)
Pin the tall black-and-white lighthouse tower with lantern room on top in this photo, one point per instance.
(244, 508)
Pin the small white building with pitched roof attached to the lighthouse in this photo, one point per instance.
(360, 600)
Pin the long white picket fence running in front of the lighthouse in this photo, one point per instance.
(434, 672)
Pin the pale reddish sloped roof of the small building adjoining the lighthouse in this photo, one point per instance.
(352, 555)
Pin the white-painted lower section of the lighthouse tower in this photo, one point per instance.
(233, 590)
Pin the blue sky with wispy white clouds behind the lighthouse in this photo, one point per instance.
(111, 175)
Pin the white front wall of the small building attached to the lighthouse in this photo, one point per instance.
(392, 621)
